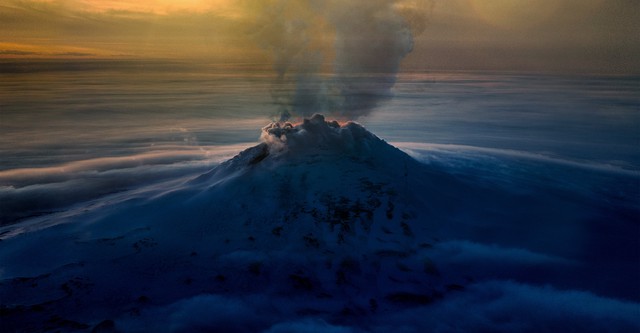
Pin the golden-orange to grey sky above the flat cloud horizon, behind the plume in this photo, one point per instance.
(586, 36)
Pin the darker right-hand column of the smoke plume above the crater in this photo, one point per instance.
(371, 41)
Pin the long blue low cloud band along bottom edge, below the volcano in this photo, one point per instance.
(489, 306)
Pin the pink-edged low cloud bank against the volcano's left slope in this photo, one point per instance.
(33, 192)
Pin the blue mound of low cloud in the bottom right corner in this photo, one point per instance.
(505, 306)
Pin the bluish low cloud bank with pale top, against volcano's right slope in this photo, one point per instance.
(520, 171)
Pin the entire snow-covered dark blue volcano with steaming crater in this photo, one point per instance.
(322, 227)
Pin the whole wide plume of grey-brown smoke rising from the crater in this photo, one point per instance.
(359, 43)
